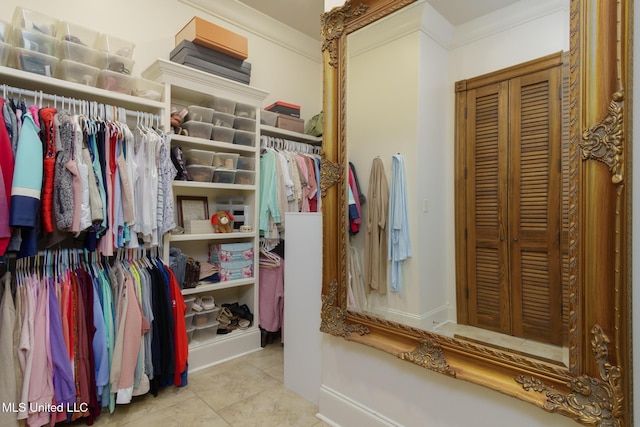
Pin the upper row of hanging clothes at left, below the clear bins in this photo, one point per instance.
(106, 185)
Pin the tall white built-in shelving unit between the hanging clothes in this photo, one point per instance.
(185, 86)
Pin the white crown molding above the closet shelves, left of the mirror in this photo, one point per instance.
(261, 25)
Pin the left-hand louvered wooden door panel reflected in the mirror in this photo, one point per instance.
(487, 208)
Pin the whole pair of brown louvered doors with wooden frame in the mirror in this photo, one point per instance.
(510, 201)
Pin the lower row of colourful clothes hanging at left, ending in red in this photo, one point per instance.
(89, 333)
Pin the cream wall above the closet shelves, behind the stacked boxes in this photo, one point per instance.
(277, 67)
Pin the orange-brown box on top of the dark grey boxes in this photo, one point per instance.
(214, 37)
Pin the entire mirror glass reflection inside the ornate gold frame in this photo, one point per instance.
(487, 249)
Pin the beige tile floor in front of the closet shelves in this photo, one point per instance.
(247, 391)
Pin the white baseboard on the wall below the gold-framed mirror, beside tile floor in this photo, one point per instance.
(338, 410)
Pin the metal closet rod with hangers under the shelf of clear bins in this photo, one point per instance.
(84, 106)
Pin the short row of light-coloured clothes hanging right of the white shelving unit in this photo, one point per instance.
(289, 181)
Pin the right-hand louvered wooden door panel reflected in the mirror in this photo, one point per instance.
(535, 191)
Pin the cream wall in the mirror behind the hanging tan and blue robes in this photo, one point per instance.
(381, 114)
